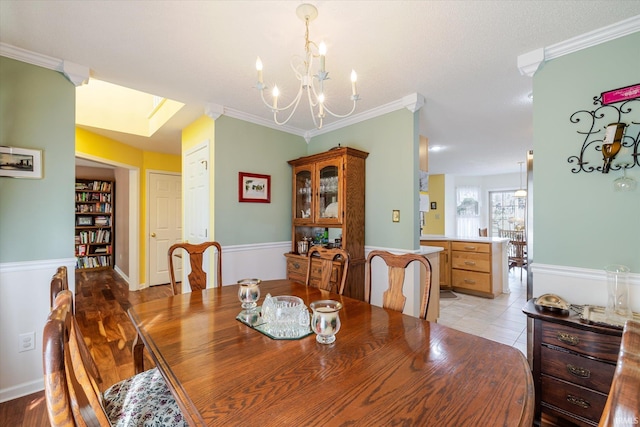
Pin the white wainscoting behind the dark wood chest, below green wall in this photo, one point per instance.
(579, 285)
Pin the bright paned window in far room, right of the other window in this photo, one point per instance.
(507, 212)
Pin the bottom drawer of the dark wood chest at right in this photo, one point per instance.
(577, 400)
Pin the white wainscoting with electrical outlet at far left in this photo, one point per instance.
(24, 307)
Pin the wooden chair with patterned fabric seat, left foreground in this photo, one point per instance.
(72, 395)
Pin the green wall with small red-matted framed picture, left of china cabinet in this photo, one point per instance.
(245, 147)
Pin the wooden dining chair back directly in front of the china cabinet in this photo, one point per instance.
(320, 263)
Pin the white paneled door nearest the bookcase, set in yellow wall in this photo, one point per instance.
(165, 223)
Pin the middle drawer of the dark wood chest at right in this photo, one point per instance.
(579, 370)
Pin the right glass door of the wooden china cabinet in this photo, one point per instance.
(329, 176)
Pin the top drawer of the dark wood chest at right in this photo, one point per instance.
(596, 345)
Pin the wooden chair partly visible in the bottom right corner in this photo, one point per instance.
(623, 403)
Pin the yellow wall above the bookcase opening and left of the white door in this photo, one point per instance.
(105, 148)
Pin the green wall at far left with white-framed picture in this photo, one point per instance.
(37, 110)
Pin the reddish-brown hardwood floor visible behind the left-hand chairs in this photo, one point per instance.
(102, 301)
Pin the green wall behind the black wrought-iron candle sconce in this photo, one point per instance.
(578, 219)
